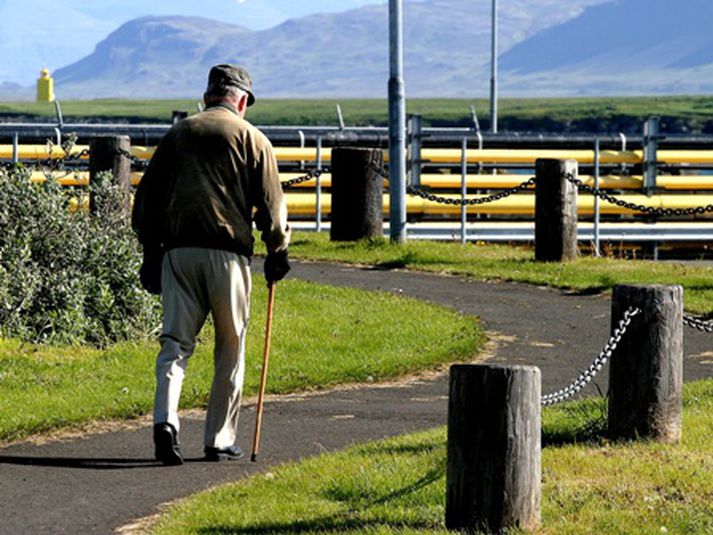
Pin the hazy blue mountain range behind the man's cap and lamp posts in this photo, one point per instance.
(341, 55)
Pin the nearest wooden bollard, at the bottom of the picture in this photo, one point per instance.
(494, 450)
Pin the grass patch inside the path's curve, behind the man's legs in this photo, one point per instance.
(322, 336)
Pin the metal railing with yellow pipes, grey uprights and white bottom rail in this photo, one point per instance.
(311, 173)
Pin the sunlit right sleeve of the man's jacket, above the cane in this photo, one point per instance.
(269, 201)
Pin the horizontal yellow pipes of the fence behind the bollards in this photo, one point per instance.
(301, 203)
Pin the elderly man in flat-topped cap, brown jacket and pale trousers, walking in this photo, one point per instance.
(211, 176)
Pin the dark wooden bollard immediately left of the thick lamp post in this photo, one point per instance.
(357, 194)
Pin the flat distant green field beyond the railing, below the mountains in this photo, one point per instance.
(692, 112)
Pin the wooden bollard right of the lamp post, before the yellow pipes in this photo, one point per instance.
(555, 211)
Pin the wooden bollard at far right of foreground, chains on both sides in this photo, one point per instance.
(646, 370)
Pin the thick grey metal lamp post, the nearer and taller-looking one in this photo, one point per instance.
(397, 125)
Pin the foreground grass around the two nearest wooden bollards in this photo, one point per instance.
(398, 485)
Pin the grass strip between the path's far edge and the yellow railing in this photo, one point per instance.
(506, 263)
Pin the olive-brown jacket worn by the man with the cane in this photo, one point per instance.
(211, 176)
